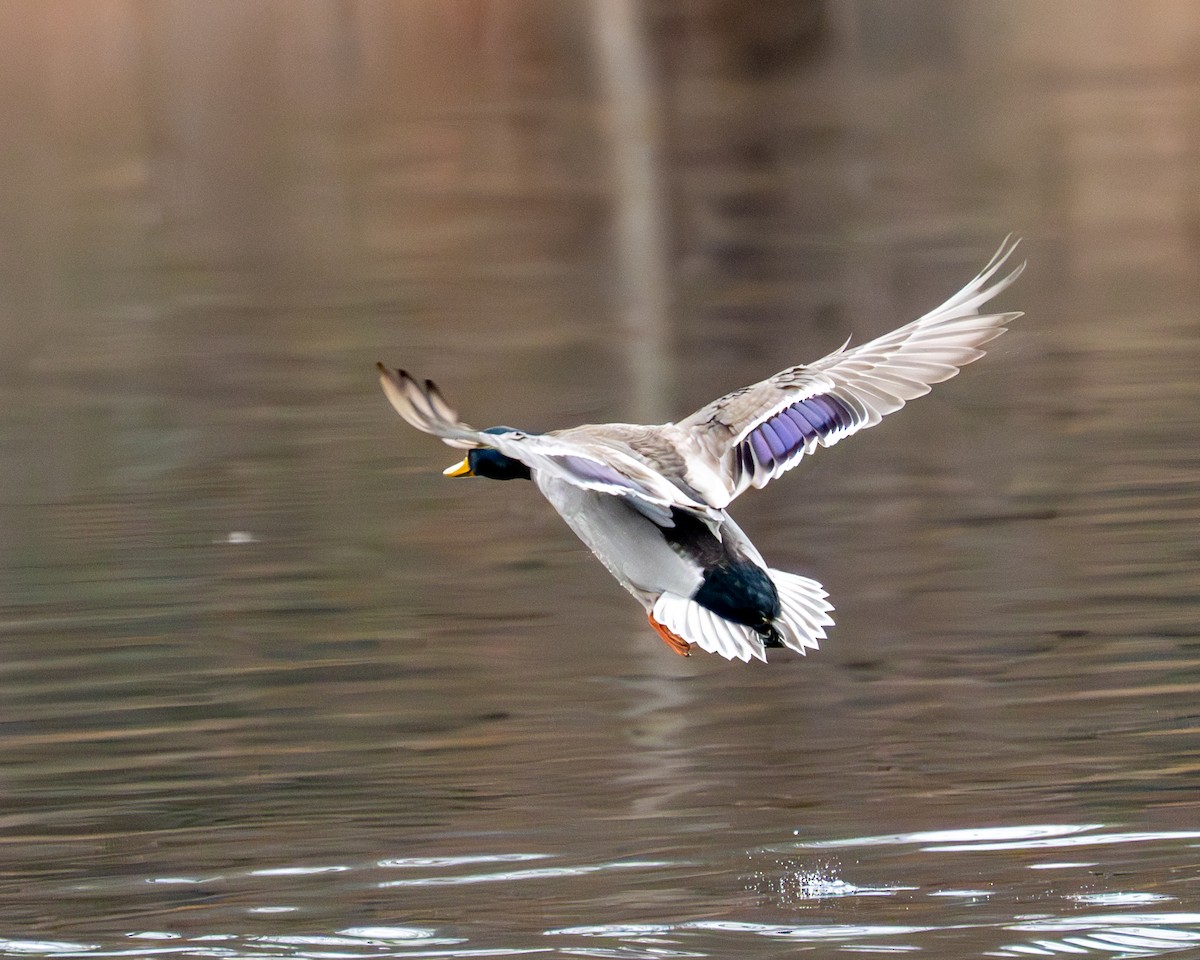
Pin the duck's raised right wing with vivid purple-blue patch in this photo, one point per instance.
(759, 433)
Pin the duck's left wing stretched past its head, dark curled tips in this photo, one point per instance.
(592, 463)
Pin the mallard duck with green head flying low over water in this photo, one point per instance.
(651, 501)
